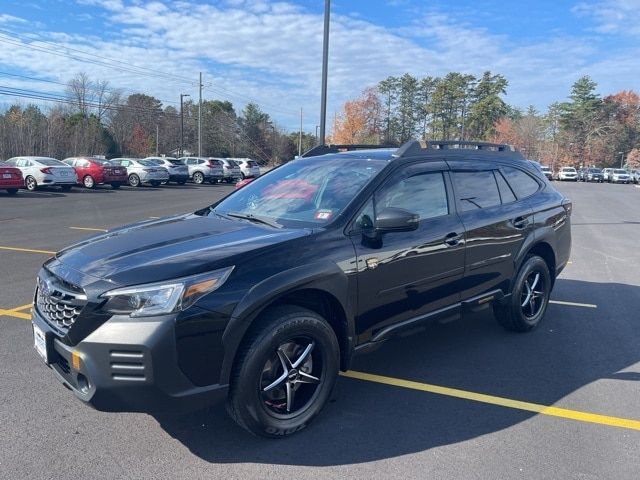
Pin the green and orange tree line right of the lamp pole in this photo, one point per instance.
(584, 130)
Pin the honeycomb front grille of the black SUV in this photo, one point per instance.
(59, 302)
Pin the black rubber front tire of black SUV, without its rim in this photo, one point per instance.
(251, 409)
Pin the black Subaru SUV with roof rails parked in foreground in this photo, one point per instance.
(262, 297)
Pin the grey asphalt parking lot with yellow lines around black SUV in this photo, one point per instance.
(460, 400)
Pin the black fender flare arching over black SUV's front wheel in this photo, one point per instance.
(324, 276)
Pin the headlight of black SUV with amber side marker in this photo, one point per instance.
(163, 297)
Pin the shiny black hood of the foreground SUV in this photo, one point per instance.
(169, 248)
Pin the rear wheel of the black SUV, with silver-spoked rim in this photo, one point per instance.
(517, 315)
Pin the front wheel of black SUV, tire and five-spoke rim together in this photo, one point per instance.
(258, 391)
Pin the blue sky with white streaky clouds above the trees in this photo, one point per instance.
(270, 52)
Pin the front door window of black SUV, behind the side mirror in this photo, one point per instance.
(424, 194)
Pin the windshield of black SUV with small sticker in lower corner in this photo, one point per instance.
(303, 192)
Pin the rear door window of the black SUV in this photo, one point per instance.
(475, 190)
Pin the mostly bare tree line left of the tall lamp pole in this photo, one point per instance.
(94, 119)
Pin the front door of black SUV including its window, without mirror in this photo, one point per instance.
(403, 275)
